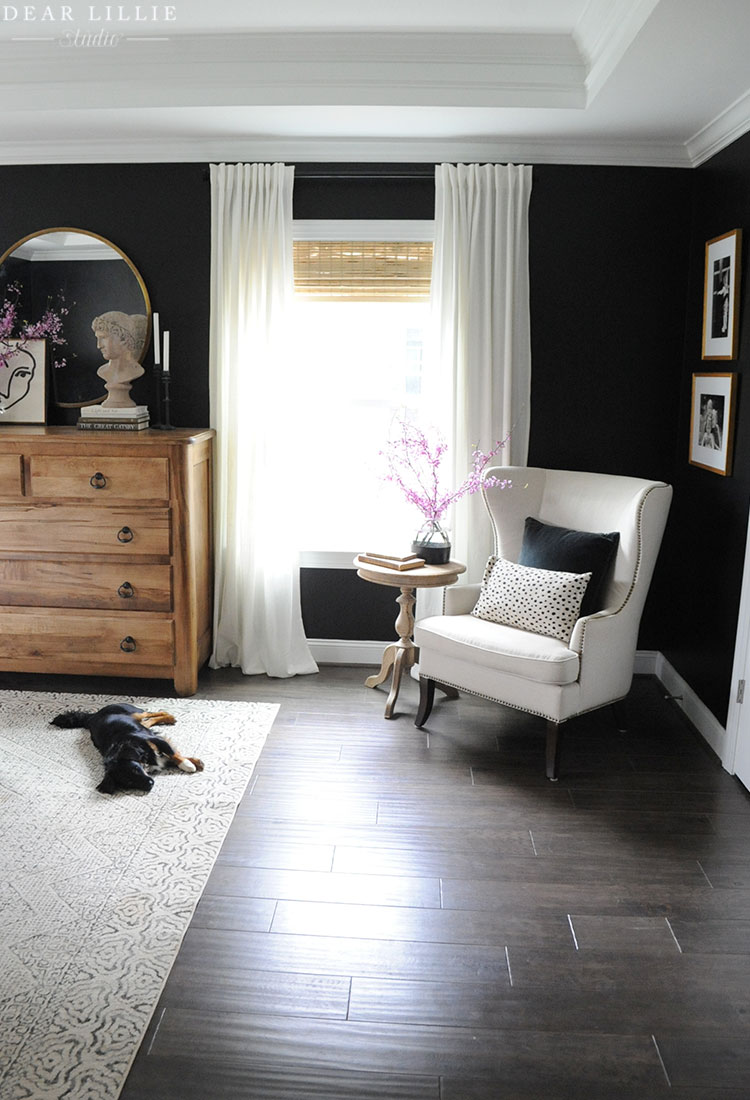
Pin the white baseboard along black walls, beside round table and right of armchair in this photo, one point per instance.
(648, 663)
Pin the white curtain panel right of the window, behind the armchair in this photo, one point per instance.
(481, 311)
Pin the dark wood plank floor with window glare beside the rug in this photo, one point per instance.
(403, 915)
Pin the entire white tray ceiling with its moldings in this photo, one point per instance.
(597, 82)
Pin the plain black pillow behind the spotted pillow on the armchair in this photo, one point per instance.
(569, 552)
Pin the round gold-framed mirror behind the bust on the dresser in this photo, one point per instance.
(80, 277)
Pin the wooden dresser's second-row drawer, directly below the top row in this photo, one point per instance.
(79, 530)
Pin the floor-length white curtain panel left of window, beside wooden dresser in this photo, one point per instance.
(258, 618)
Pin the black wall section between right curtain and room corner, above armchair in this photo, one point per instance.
(609, 272)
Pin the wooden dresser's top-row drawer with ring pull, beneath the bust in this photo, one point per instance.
(100, 479)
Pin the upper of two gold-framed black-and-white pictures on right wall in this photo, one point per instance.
(722, 296)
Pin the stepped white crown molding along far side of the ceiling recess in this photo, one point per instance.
(381, 70)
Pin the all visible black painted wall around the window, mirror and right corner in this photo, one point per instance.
(616, 267)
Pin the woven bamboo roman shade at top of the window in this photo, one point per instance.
(363, 271)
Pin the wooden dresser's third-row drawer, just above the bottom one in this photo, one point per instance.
(47, 584)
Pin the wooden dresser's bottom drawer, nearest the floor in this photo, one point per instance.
(98, 642)
